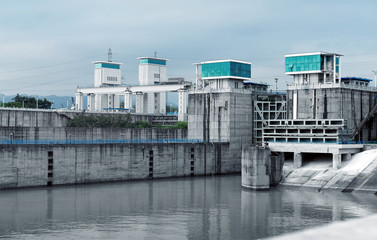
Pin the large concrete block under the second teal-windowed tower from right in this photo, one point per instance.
(224, 116)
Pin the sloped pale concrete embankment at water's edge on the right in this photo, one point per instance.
(357, 174)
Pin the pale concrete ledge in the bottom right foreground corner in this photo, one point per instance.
(362, 228)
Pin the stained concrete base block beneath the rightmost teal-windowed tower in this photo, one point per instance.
(335, 102)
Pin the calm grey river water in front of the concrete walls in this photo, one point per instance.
(180, 208)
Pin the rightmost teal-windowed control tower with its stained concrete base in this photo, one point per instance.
(319, 92)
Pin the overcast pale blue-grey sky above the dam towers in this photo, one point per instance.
(46, 46)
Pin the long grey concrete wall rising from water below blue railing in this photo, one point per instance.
(42, 165)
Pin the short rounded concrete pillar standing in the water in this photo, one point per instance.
(254, 168)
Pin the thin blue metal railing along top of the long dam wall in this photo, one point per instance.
(101, 141)
